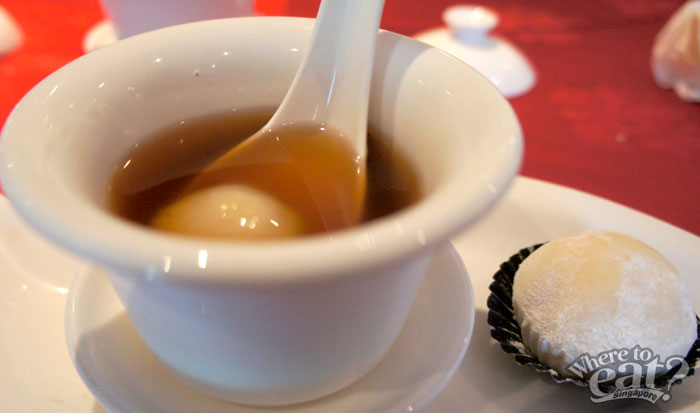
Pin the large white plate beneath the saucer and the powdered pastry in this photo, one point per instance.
(37, 374)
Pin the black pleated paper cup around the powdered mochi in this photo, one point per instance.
(506, 331)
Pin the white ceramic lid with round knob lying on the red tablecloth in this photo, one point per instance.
(467, 38)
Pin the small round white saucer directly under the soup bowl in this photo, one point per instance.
(123, 375)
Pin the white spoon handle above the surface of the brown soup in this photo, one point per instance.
(332, 84)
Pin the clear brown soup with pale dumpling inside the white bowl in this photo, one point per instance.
(301, 184)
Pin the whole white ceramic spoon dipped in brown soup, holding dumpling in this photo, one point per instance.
(303, 172)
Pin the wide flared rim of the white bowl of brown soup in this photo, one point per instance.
(371, 245)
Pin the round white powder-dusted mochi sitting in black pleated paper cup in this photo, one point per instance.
(598, 291)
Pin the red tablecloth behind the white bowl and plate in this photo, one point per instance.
(595, 120)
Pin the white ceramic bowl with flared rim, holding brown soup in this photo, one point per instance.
(270, 323)
